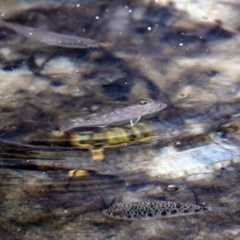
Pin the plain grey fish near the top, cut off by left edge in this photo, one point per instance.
(52, 38)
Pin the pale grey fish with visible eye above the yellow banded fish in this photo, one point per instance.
(131, 113)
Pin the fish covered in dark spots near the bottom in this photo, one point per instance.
(151, 209)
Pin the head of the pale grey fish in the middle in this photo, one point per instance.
(151, 106)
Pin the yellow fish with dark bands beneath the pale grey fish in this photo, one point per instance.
(99, 139)
